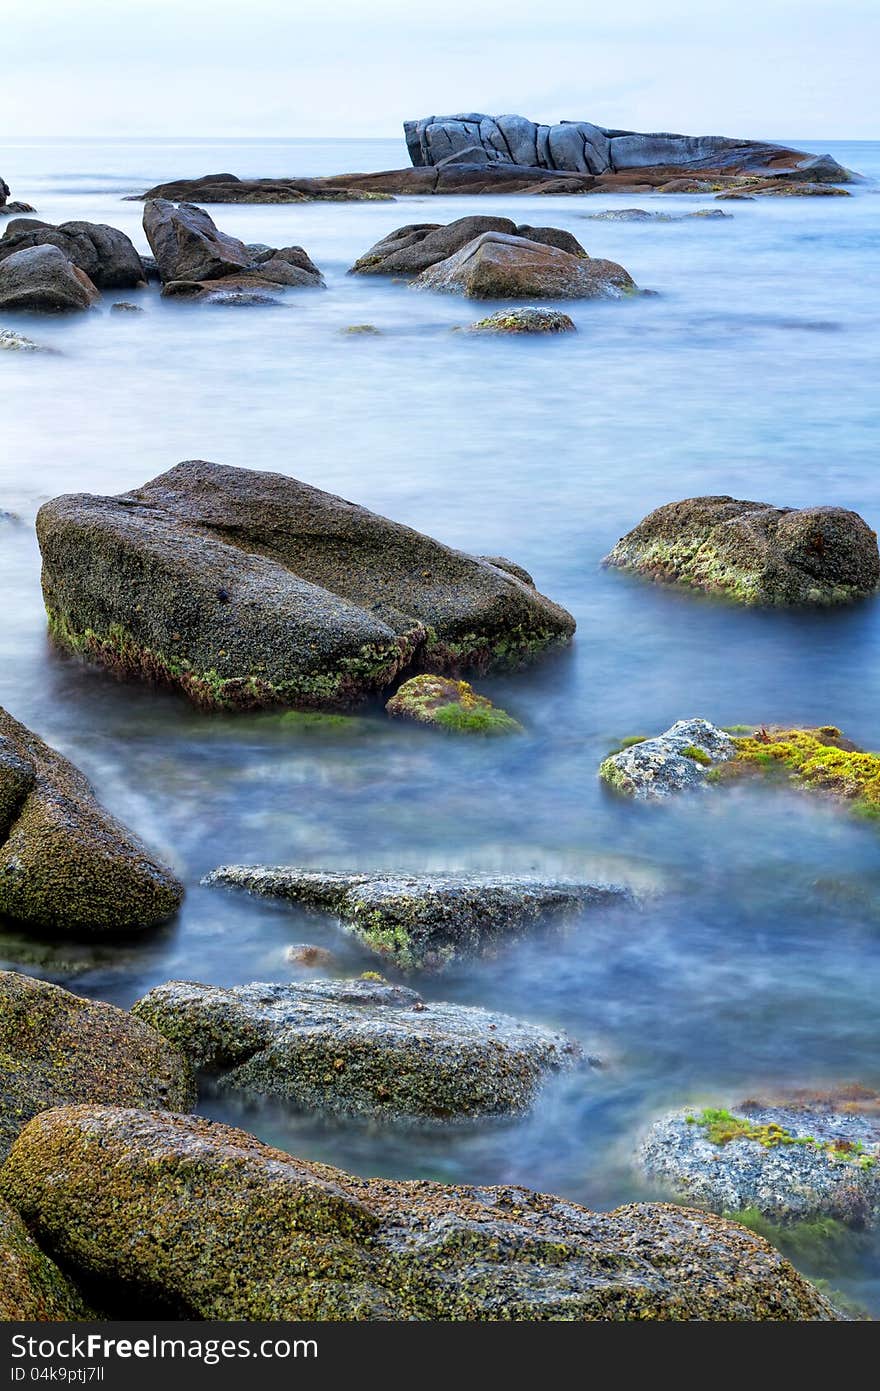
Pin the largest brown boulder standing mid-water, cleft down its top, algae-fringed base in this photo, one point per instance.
(248, 589)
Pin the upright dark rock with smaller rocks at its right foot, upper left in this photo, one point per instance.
(198, 261)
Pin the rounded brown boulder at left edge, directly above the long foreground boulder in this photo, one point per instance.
(58, 1050)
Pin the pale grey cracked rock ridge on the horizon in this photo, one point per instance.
(585, 148)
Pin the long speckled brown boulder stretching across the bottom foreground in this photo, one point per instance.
(219, 1226)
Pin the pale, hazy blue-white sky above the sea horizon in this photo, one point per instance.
(763, 69)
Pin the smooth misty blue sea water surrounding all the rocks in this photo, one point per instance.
(754, 372)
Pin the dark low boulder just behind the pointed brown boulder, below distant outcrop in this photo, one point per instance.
(412, 250)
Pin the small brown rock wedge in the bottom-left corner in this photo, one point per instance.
(33, 1289)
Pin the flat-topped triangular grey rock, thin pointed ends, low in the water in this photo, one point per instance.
(425, 922)
